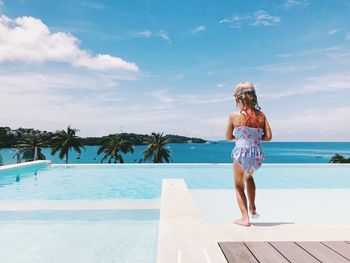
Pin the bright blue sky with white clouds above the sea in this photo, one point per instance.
(171, 66)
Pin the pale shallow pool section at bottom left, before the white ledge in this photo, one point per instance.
(126, 236)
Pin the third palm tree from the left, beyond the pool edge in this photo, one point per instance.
(112, 147)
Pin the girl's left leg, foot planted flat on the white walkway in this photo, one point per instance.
(241, 198)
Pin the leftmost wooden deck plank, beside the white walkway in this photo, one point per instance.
(237, 252)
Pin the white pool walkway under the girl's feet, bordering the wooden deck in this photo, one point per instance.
(185, 236)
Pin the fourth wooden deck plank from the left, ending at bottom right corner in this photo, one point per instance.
(322, 253)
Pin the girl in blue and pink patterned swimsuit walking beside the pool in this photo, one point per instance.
(248, 128)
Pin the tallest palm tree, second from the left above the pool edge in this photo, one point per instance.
(64, 141)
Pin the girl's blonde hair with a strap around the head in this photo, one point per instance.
(245, 93)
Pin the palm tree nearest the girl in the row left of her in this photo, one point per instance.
(156, 149)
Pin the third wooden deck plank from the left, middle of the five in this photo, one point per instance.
(293, 252)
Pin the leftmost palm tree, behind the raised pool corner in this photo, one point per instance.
(30, 148)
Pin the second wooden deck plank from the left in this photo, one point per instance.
(265, 253)
